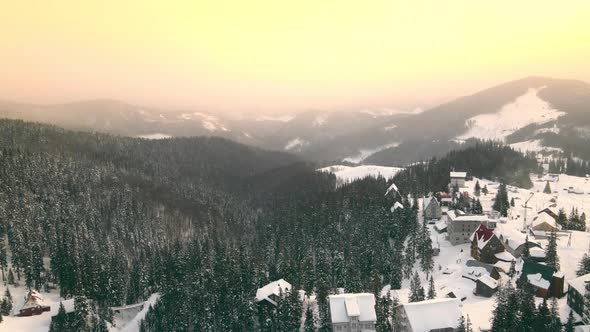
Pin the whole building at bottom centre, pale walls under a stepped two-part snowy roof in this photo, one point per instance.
(353, 312)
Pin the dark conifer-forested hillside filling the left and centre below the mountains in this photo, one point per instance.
(203, 221)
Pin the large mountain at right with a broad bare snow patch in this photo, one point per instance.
(537, 114)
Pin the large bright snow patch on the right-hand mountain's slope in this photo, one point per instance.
(525, 110)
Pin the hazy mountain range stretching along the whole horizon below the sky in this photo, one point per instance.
(540, 114)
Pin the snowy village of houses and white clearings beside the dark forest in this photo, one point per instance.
(475, 255)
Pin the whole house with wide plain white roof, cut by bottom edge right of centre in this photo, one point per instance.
(440, 315)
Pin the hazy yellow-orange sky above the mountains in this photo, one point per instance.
(274, 55)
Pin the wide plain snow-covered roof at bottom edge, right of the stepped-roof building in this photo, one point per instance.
(425, 316)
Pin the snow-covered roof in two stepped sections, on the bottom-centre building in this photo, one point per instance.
(344, 306)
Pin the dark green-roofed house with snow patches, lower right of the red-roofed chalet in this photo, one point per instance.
(546, 281)
